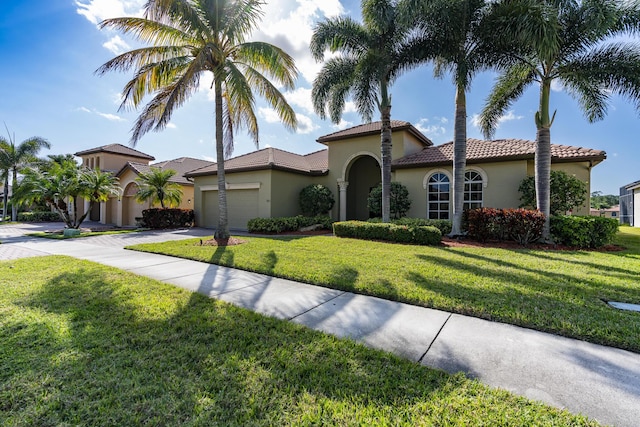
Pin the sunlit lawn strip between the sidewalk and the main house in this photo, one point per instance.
(554, 291)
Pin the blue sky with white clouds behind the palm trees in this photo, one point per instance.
(50, 50)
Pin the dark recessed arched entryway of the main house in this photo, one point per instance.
(363, 175)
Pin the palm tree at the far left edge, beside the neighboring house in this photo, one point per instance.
(13, 158)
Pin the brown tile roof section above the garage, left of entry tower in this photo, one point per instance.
(271, 158)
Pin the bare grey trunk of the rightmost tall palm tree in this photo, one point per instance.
(543, 158)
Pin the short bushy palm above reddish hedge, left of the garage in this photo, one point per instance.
(156, 185)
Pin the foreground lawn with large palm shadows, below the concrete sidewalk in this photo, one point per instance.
(84, 344)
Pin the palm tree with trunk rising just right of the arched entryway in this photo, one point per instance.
(372, 56)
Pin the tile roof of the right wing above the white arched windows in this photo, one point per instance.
(496, 150)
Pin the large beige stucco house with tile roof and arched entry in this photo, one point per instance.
(266, 183)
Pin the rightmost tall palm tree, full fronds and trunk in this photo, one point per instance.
(574, 43)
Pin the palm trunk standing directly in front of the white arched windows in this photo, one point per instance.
(459, 159)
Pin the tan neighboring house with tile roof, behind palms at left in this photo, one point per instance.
(126, 164)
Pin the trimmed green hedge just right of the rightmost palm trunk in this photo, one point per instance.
(583, 231)
